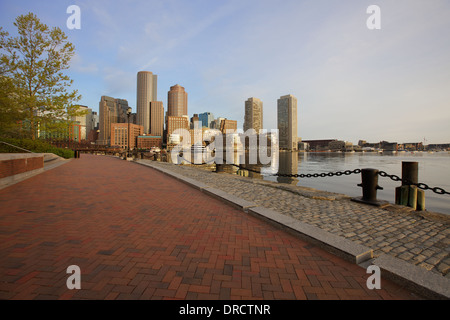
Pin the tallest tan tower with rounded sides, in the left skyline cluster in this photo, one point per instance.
(146, 92)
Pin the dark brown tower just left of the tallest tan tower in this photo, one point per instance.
(111, 111)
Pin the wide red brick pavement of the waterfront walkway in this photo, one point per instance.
(138, 234)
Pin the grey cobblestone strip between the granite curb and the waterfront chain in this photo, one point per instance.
(422, 239)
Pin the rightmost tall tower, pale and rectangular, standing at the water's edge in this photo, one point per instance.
(287, 122)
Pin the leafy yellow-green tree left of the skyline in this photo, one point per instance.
(33, 64)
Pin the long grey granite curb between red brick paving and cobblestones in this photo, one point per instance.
(415, 278)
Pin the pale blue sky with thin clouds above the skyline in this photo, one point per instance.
(351, 82)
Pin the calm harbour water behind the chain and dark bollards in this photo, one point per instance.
(434, 170)
